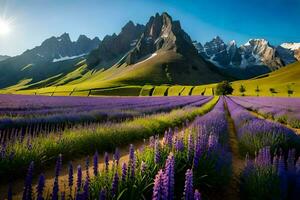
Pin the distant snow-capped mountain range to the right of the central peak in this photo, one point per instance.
(257, 56)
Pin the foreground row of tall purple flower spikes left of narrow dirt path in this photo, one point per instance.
(196, 157)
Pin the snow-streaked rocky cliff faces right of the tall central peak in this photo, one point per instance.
(256, 52)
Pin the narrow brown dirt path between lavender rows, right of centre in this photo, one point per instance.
(232, 192)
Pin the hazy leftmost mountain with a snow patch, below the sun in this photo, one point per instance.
(54, 57)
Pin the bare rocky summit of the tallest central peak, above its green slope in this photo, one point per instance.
(161, 34)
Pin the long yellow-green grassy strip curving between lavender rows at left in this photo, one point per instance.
(102, 138)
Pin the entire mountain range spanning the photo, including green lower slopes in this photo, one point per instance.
(160, 52)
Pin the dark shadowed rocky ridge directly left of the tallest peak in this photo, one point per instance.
(113, 47)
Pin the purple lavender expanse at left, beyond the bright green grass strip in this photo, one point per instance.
(32, 116)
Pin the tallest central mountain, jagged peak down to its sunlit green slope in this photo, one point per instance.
(164, 54)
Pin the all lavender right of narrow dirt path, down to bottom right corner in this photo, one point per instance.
(272, 164)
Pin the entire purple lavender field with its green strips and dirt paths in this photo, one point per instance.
(192, 148)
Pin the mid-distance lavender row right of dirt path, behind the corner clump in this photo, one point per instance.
(255, 133)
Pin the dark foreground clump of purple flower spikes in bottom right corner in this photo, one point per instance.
(274, 176)
